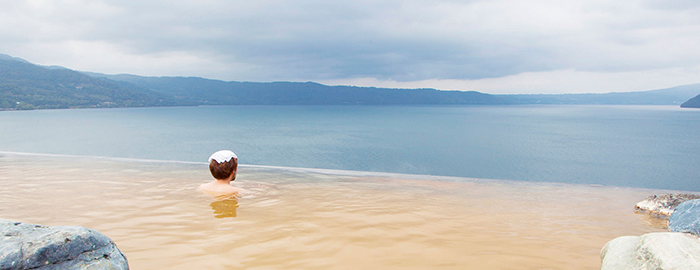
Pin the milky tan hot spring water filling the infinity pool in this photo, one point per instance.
(306, 219)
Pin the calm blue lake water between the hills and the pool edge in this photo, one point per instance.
(635, 146)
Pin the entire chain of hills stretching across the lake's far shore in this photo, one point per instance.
(24, 85)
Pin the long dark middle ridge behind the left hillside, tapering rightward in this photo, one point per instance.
(215, 92)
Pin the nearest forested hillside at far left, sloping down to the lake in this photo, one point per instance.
(27, 86)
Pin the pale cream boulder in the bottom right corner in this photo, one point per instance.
(668, 250)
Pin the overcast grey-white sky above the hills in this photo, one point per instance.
(497, 46)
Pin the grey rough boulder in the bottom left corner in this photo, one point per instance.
(31, 246)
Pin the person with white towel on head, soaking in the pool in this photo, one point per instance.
(223, 166)
